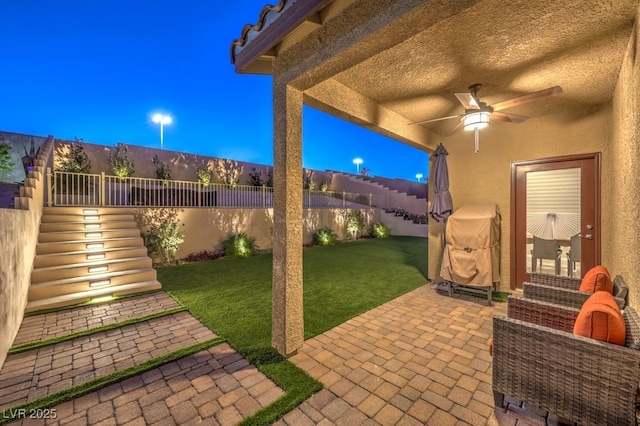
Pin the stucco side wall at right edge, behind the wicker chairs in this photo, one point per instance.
(621, 247)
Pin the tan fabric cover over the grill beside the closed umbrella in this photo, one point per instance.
(472, 246)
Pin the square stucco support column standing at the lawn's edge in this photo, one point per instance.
(287, 318)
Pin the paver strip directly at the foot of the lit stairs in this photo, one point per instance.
(60, 323)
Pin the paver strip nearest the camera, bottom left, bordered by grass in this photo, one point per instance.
(151, 399)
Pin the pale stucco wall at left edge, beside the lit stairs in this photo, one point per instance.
(18, 239)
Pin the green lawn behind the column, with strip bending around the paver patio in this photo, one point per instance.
(233, 298)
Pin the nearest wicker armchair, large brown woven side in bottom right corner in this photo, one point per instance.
(537, 359)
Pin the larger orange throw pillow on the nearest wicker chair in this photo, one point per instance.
(601, 319)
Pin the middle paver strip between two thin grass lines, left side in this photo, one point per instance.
(39, 372)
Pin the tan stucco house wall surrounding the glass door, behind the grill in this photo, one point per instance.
(485, 177)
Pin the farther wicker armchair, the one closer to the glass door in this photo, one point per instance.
(565, 290)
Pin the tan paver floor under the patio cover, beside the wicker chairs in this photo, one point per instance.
(419, 359)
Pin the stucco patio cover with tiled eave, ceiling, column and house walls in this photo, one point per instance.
(386, 64)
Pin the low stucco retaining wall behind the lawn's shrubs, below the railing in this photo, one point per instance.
(205, 229)
